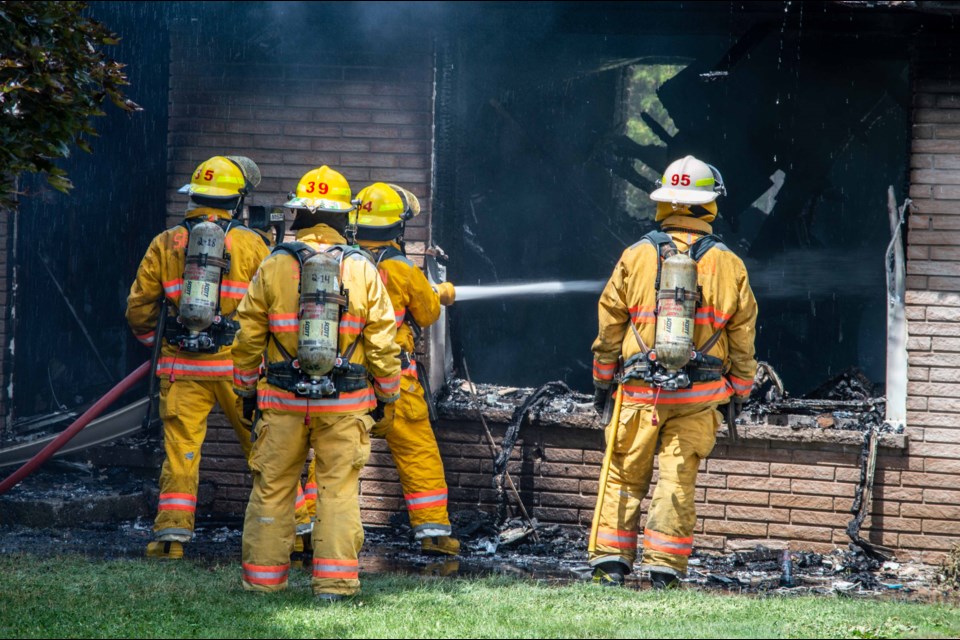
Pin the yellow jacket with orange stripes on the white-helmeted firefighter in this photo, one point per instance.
(728, 305)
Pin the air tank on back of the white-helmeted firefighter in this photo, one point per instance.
(676, 310)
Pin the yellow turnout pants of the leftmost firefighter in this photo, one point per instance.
(184, 407)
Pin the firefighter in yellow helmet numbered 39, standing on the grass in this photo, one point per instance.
(301, 405)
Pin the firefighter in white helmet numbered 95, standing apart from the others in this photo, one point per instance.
(668, 410)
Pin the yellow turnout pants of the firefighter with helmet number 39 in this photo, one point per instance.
(342, 446)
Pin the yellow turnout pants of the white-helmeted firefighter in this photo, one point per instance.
(684, 436)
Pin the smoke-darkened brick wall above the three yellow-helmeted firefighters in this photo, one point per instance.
(371, 121)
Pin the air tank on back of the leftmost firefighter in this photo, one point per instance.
(201, 276)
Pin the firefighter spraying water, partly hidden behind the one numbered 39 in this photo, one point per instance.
(382, 211)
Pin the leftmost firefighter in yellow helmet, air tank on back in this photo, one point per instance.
(202, 291)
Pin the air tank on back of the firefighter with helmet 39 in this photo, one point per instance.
(317, 343)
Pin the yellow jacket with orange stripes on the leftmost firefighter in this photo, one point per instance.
(161, 274)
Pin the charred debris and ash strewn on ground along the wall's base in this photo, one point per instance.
(558, 557)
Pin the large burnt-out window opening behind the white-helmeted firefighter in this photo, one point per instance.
(553, 175)
